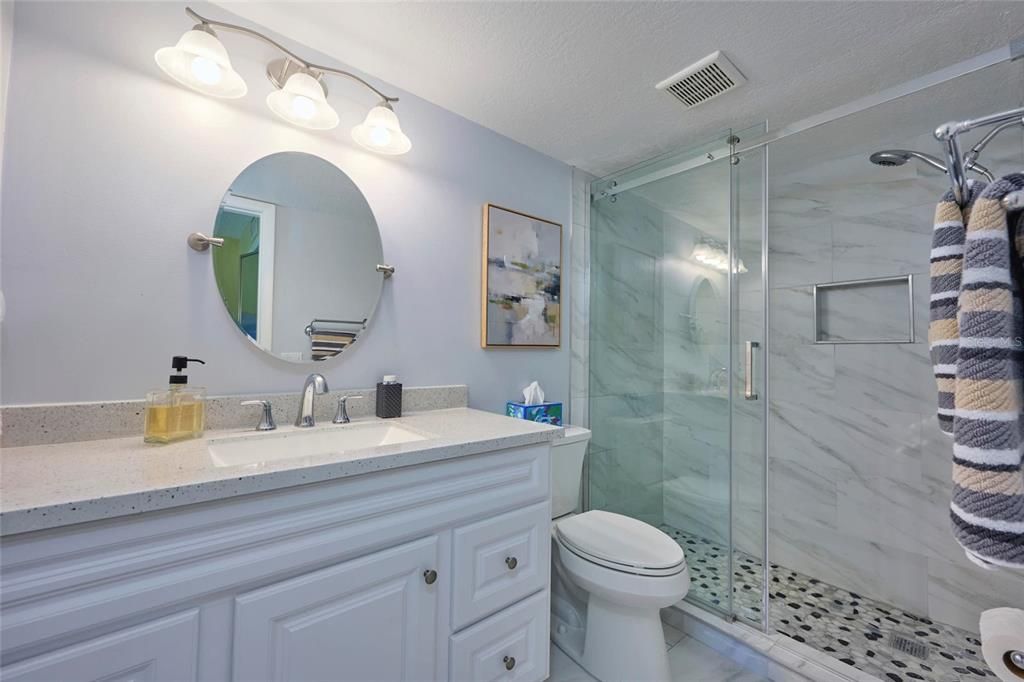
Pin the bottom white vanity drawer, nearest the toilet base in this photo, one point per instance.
(510, 646)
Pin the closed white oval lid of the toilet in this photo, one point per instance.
(620, 540)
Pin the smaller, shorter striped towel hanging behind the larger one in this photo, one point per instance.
(947, 267)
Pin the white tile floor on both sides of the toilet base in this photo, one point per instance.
(690, 660)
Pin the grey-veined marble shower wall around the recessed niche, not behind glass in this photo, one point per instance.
(859, 472)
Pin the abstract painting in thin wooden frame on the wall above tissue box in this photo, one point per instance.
(523, 280)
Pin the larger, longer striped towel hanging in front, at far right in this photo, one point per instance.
(988, 506)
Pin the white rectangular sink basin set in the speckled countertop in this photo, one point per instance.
(291, 445)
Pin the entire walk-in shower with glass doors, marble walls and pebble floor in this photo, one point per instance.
(760, 385)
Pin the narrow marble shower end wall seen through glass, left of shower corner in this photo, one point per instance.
(626, 360)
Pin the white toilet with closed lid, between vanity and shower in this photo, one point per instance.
(612, 575)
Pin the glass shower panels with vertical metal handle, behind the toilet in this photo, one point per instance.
(676, 361)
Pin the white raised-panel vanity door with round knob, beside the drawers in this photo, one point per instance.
(374, 618)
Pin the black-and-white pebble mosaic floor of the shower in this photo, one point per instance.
(844, 625)
